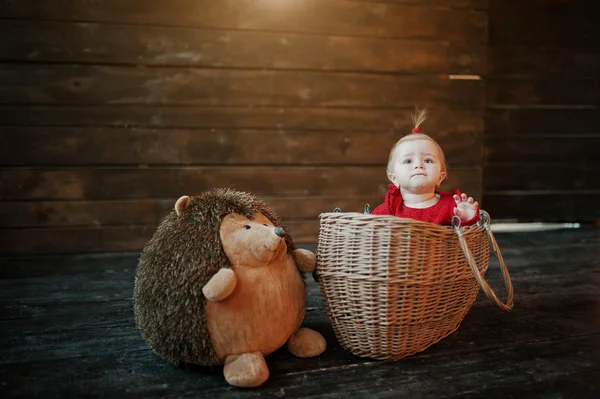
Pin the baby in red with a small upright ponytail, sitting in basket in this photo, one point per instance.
(416, 168)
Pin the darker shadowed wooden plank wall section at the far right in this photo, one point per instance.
(542, 130)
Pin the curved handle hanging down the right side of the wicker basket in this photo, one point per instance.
(485, 217)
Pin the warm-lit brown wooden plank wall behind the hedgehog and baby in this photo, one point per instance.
(111, 110)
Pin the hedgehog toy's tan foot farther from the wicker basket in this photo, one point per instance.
(246, 371)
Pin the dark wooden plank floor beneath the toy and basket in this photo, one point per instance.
(67, 330)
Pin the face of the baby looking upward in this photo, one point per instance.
(417, 167)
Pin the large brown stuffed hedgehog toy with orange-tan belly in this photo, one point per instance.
(220, 283)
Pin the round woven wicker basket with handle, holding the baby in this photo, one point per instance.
(392, 287)
